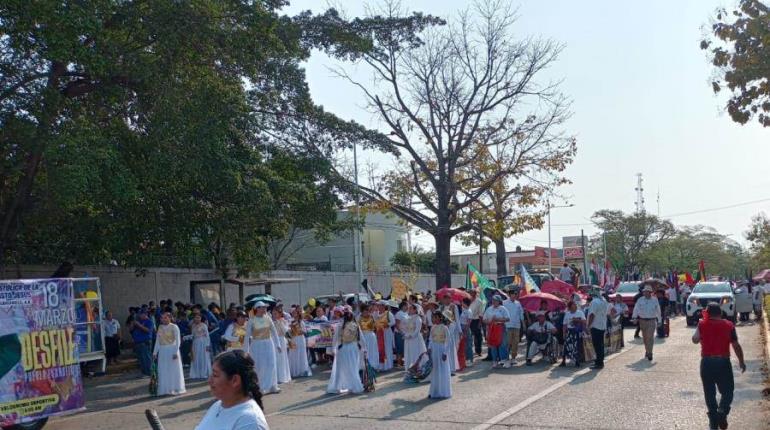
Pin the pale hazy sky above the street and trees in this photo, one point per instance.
(641, 103)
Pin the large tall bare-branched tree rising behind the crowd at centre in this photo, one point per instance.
(458, 86)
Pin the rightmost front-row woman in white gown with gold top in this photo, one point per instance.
(440, 351)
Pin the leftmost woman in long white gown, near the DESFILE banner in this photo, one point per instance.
(166, 352)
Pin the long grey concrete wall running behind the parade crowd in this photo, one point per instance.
(125, 287)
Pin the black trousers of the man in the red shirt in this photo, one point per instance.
(716, 373)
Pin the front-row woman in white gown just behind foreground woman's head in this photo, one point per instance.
(262, 344)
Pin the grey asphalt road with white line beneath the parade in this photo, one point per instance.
(630, 393)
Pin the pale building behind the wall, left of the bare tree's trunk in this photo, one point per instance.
(383, 234)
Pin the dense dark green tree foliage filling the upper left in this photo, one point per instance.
(129, 129)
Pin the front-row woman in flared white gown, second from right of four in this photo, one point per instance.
(347, 345)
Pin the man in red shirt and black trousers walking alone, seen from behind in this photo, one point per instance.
(715, 336)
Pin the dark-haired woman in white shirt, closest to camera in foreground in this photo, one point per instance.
(239, 402)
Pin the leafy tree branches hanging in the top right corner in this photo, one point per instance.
(740, 53)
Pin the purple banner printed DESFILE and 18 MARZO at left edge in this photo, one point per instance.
(39, 368)
